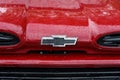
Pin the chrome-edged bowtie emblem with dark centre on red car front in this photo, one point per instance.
(58, 41)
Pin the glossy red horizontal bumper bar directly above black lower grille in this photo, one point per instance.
(60, 61)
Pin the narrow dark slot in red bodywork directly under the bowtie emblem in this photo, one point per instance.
(56, 52)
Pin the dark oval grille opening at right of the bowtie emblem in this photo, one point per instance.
(112, 40)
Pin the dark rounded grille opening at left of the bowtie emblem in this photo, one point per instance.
(7, 39)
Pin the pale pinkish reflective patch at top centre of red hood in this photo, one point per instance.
(66, 4)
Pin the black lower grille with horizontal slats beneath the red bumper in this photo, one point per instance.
(59, 74)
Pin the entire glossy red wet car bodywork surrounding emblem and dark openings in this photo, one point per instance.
(87, 20)
